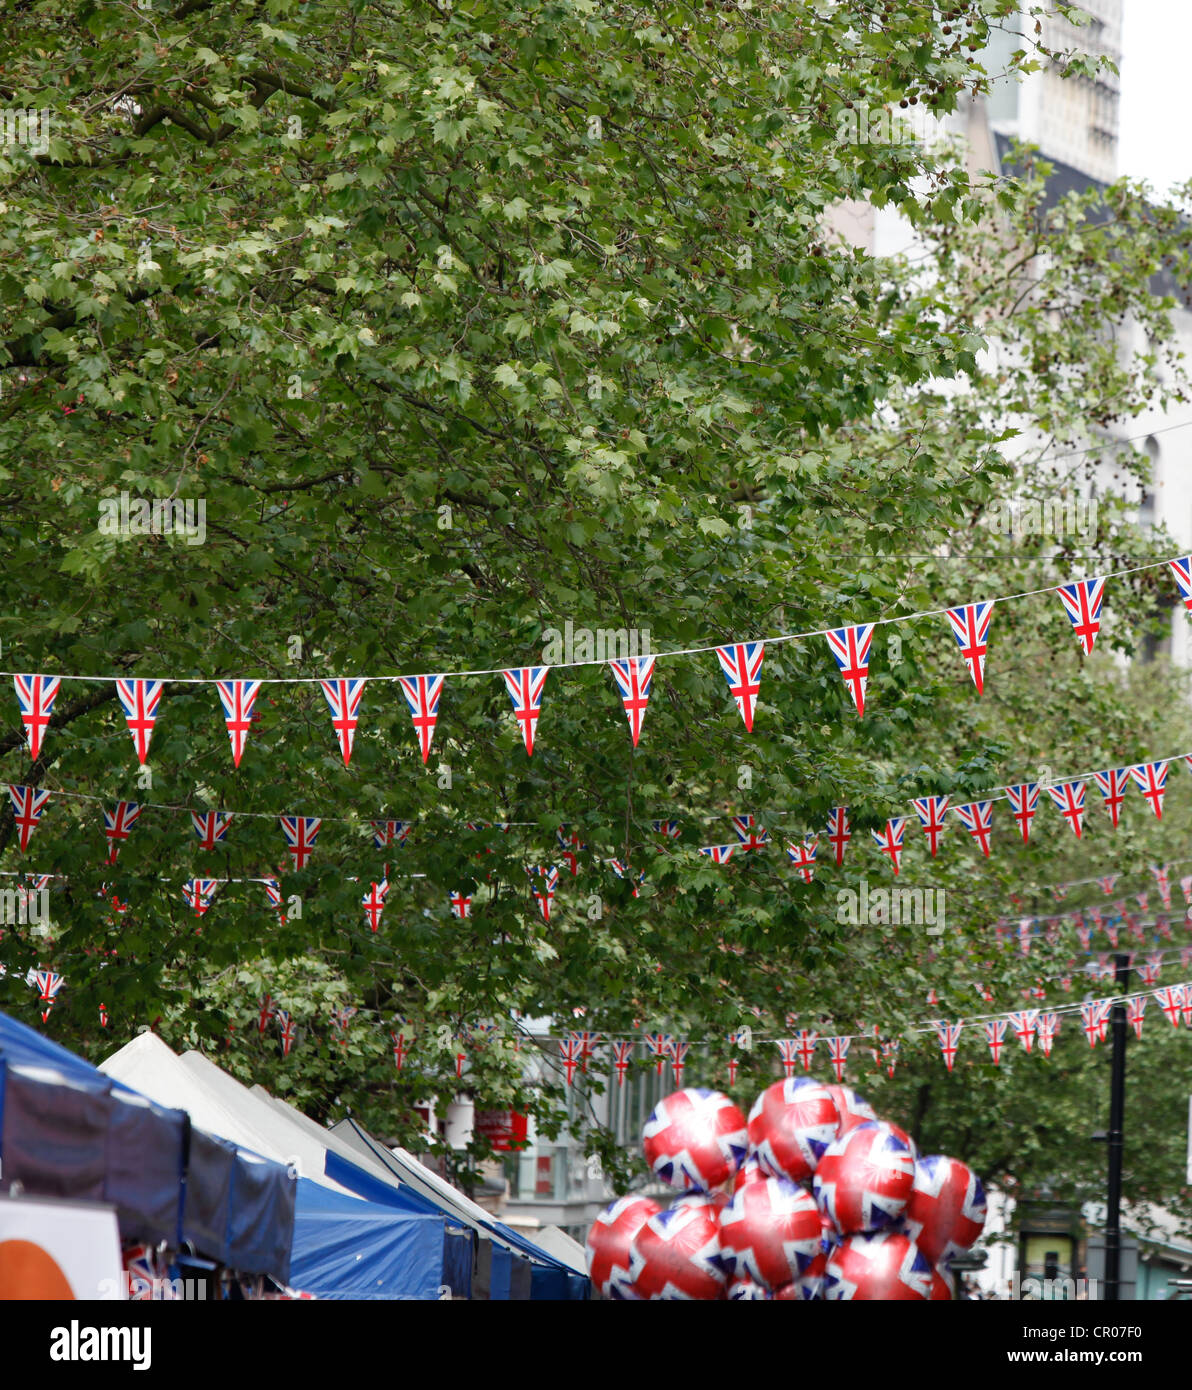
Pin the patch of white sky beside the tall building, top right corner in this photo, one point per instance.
(1155, 87)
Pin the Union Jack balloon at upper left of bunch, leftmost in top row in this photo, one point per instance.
(695, 1139)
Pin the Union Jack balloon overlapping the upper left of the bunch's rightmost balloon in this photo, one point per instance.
(865, 1179)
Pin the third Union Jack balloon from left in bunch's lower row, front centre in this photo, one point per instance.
(770, 1232)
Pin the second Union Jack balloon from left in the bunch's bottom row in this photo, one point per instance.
(676, 1254)
